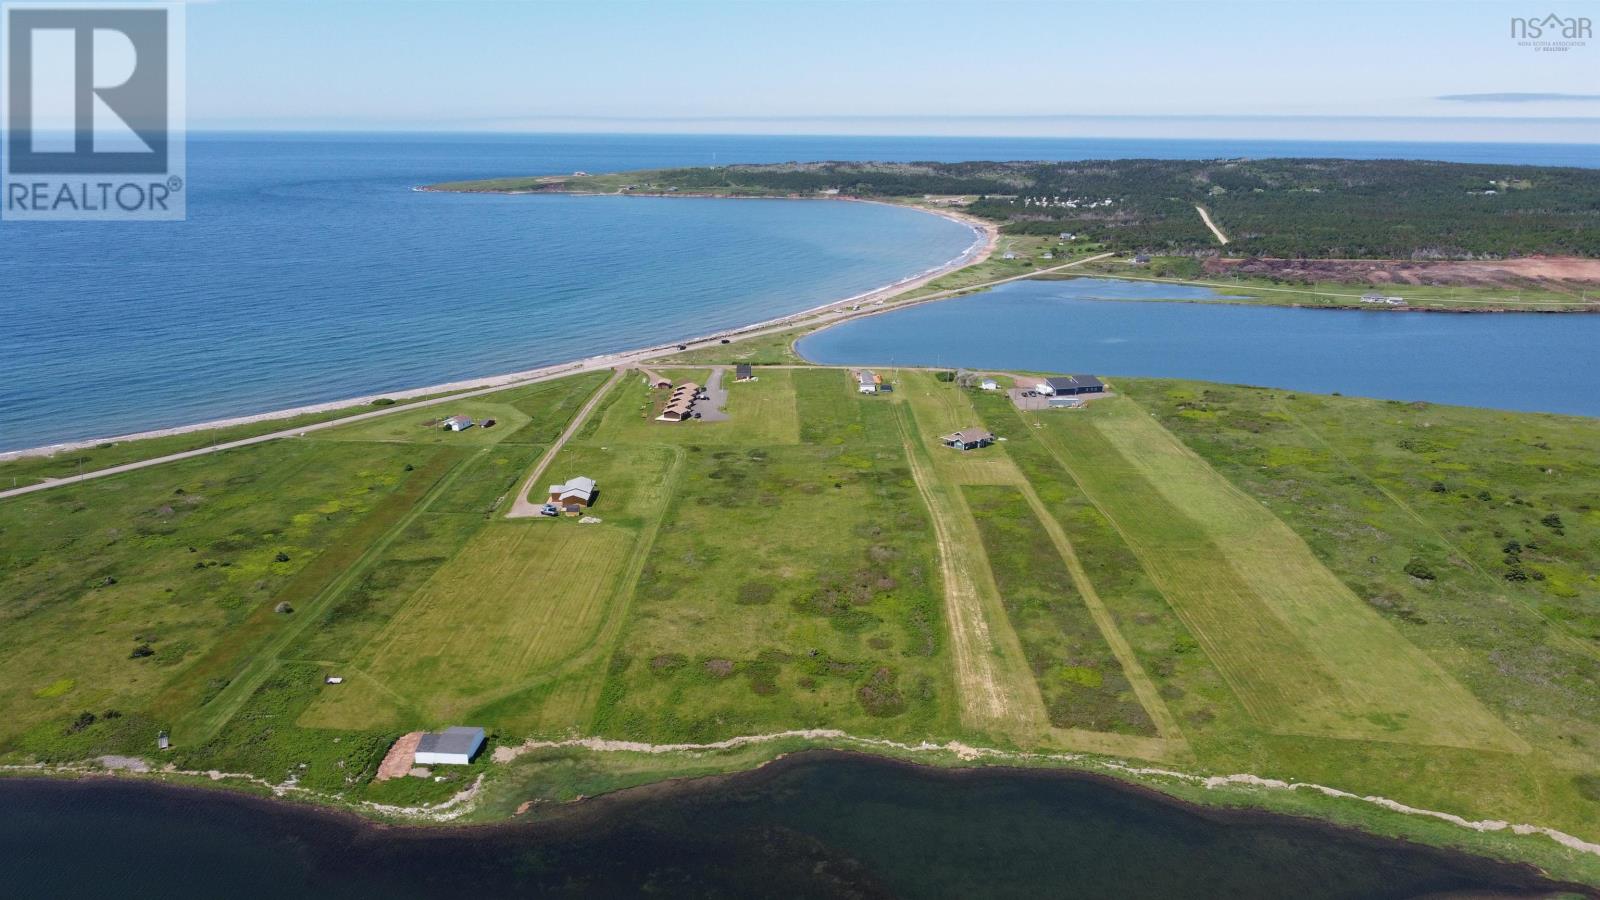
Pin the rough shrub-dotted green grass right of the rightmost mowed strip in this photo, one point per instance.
(1358, 478)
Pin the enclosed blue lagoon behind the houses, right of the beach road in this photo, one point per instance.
(1511, 361)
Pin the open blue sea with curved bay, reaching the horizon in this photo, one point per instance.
(311, 271)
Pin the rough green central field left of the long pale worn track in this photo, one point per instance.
(791, 585)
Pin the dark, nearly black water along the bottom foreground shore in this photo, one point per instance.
(810, 826)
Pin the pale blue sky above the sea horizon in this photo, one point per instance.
(838, 66)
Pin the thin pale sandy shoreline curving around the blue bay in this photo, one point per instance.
(985, 239)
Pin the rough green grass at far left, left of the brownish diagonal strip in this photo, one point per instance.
(172, 558)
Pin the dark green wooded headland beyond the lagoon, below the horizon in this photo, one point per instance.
(1279, 207)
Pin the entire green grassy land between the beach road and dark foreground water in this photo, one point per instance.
(1396, 600)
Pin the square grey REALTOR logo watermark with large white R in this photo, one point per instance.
(94, 111)
